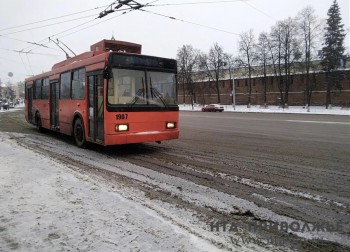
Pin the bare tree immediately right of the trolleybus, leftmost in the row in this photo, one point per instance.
(187, 58)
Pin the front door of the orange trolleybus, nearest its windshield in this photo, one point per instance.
(96, 118)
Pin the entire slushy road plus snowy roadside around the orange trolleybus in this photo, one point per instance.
(148, 197)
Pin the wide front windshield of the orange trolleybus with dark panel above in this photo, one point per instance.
(137, 81)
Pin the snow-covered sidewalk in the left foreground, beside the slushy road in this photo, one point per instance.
(47, 207)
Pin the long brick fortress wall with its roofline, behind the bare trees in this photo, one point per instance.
(204, 92)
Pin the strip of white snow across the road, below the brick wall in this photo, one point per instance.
(277, 109)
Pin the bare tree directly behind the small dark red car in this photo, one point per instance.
(213, 64)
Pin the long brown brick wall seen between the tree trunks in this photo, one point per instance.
(205, 92)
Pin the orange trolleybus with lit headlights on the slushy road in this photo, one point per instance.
(111, 95)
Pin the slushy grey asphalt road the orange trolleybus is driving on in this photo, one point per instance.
(234, 167)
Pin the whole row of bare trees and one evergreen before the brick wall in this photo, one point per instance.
(301, 44)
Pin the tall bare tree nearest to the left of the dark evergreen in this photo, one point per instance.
(310, 30)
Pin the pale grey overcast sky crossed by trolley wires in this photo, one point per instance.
(158, 35)
